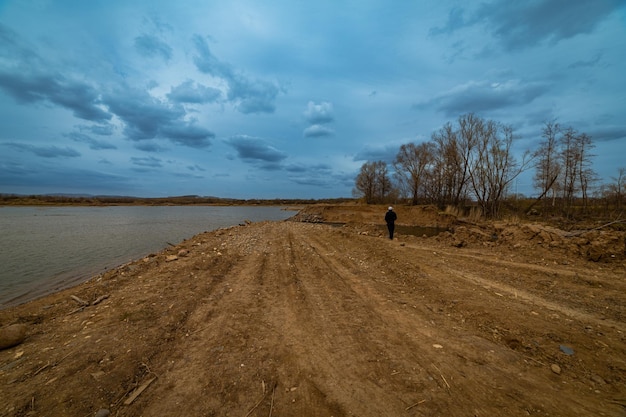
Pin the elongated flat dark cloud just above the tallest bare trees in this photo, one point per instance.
(476, 97)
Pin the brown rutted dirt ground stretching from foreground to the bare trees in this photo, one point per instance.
(318, 318)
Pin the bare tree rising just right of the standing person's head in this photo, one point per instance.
(411, 164)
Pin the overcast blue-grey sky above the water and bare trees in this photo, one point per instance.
(288, 98)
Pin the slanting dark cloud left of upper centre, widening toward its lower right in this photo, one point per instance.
(248, 96)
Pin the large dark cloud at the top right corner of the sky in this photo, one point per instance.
(519, 25)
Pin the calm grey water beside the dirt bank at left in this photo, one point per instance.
(43, 249)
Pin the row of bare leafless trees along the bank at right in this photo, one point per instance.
(471, 162)
